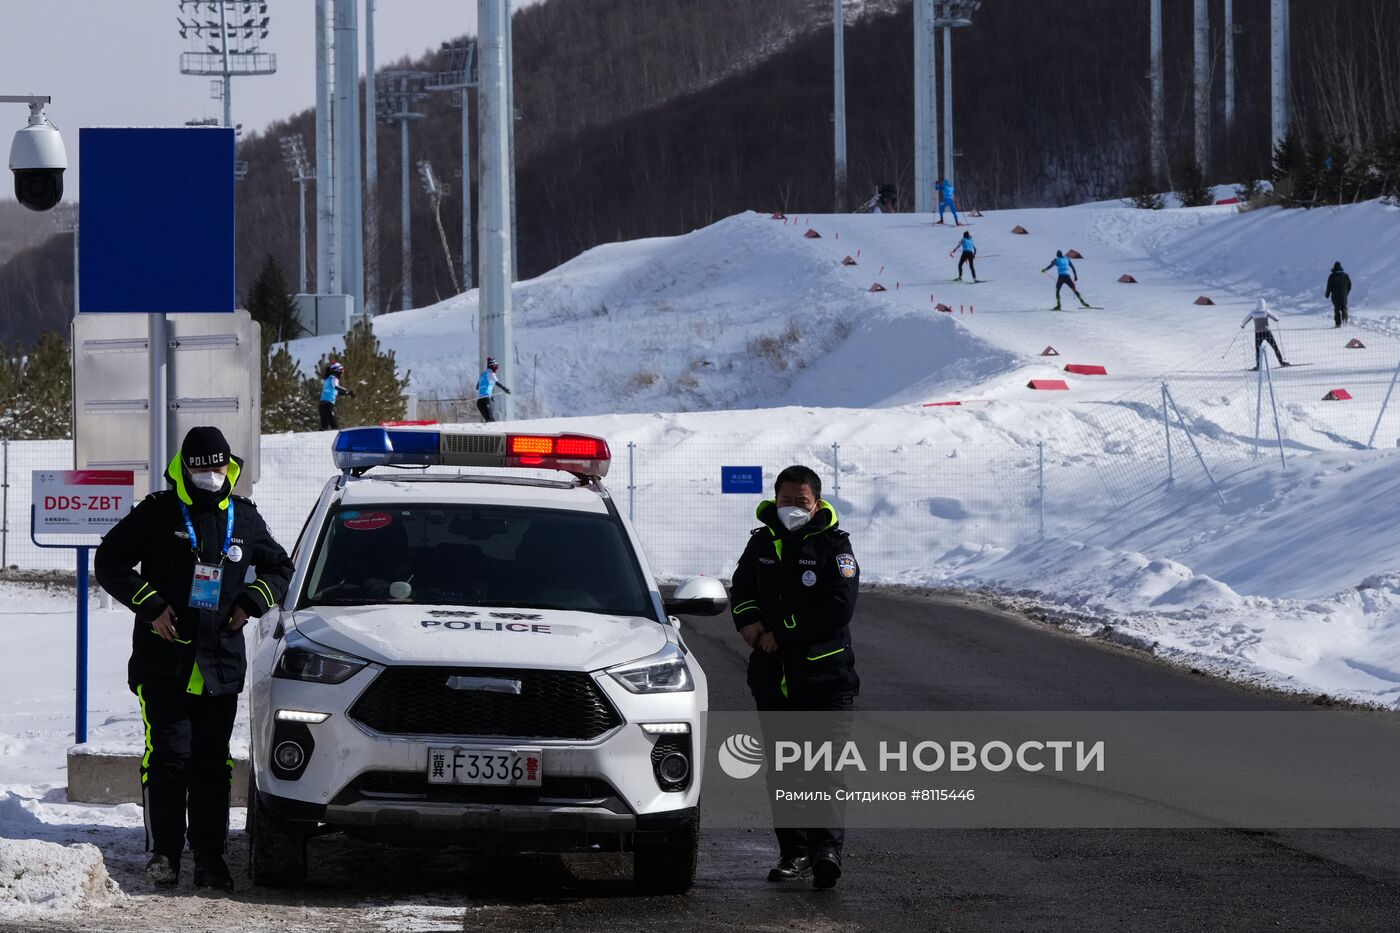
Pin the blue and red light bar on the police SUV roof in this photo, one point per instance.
(366, 448)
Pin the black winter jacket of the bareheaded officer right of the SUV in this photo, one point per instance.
(801, 586)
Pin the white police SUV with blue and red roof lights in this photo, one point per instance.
(477, 656)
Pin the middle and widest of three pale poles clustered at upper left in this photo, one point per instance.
(348, 152)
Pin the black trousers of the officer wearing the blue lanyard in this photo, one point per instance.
(187, 770)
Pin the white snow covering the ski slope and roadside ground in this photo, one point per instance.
(748, 343)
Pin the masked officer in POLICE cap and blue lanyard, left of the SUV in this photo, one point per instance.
(208, 564)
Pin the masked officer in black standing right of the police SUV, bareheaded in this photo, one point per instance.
(793, 599)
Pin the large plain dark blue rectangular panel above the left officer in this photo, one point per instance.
(156, 219)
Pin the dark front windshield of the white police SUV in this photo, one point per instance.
(477, 555)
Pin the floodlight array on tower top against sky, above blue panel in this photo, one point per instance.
(225, 39)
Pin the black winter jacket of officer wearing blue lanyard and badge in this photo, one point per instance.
(153, 536)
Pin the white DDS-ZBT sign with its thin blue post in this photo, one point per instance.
(87, 504)
